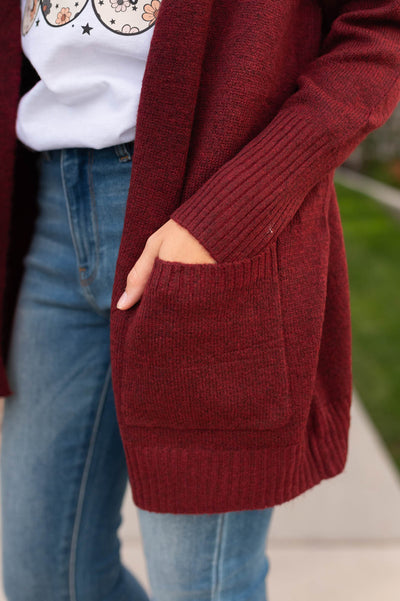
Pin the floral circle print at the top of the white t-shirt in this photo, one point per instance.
(126, 17)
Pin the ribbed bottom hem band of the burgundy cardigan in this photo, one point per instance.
(173, 479)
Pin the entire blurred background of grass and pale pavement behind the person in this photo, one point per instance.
(341, 539)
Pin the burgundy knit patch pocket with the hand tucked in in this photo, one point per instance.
(205, 348)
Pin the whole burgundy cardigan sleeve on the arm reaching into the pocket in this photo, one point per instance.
(351, 88)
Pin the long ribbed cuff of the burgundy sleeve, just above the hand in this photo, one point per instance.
(252, 197)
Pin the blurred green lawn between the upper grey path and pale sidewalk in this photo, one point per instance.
(372, 239)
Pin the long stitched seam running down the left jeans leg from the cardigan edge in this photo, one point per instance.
(82, 489)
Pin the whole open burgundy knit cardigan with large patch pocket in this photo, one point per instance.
(232, 380)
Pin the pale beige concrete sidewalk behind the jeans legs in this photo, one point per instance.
(338, 540)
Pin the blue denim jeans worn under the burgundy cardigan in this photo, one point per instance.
(63, 469)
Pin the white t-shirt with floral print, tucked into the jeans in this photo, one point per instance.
(90, 56)
